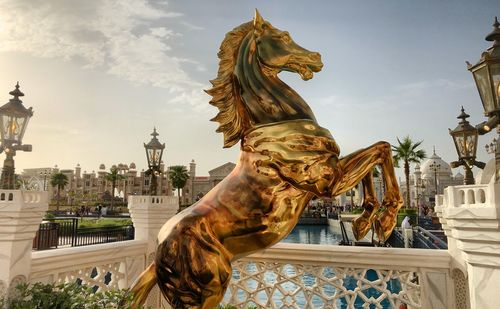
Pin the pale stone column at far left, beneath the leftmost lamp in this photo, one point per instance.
(20, 215)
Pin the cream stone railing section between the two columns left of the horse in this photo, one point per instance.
(106, 266)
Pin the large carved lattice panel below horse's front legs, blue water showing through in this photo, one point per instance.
(277, 285)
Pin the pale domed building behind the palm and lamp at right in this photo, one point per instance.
(429, 179)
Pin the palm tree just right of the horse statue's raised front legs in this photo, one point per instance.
(407, 152)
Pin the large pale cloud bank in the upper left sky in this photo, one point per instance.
(121, 37)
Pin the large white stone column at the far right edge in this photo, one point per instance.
(471, 219)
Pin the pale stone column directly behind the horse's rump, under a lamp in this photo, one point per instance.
(148, 214)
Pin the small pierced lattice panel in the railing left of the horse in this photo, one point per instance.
(102, 277)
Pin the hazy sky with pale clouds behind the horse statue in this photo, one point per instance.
(100, 74)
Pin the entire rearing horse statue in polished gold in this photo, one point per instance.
(286, 159)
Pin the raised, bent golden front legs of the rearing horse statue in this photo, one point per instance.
(357, 167)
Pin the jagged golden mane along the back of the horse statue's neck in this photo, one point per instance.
(233, 116)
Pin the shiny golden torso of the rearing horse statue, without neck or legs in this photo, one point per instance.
(262, 199)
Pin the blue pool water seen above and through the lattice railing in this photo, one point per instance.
(317, 234)
